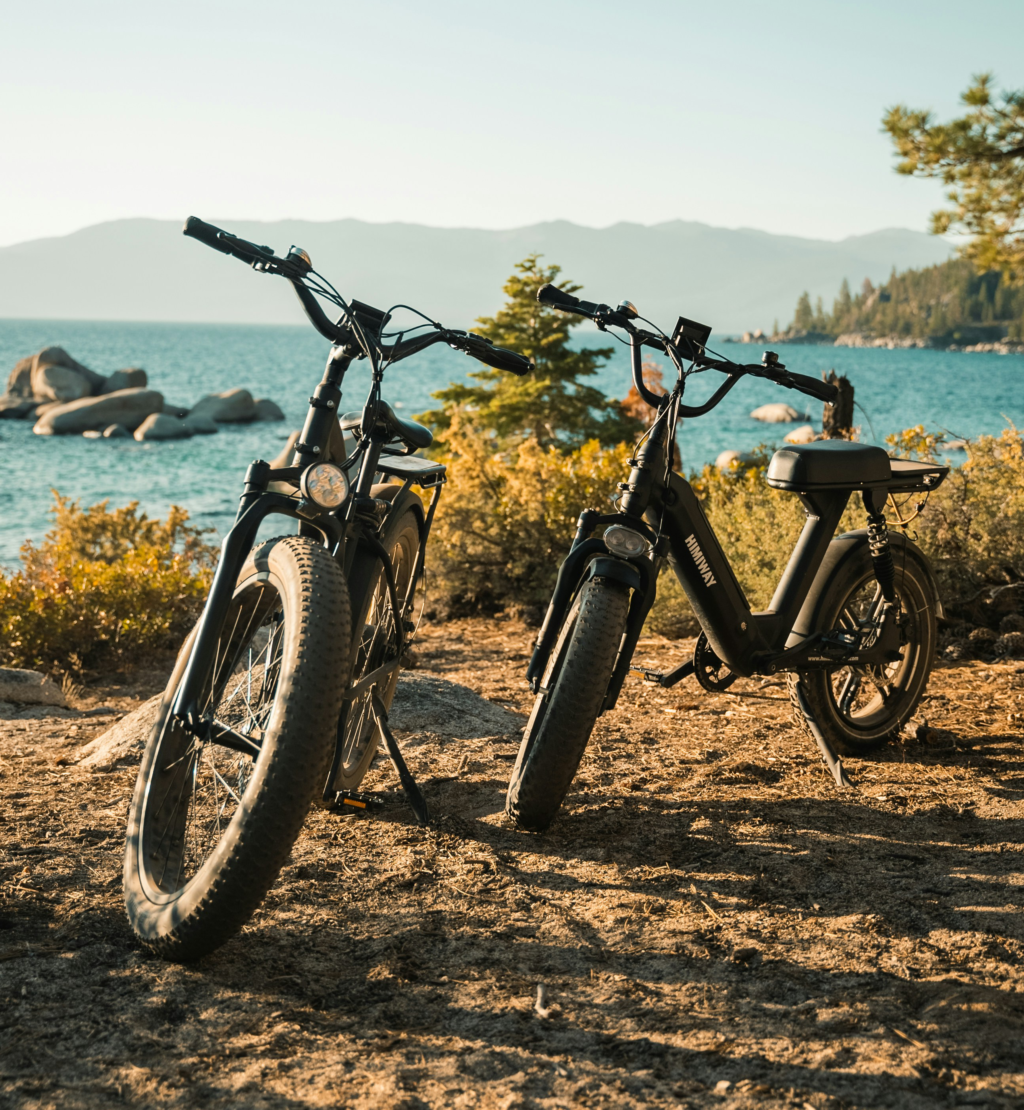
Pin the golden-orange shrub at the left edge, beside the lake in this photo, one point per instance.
(104, 586)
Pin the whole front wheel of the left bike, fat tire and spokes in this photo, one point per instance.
(211, 826)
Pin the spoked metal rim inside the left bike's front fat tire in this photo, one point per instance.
(197, 790)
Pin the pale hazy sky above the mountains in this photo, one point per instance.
(481, 115)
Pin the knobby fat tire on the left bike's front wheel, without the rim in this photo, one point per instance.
(219, 900)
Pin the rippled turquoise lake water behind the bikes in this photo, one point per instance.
(969, 395)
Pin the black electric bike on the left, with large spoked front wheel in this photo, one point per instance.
(281, 692)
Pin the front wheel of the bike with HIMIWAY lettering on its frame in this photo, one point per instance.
(572, 695)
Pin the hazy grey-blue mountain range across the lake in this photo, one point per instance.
(733, 280)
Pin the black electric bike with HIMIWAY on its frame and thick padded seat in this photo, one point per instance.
(853, 621)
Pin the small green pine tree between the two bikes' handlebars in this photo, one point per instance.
(551, 406)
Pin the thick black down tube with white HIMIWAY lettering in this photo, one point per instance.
(707, 578)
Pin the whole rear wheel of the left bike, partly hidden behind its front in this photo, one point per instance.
(377, 644)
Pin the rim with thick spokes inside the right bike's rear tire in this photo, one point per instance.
(867, 698)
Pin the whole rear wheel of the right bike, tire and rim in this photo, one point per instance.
(861, 709)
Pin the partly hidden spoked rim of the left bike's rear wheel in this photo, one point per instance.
(378, 644)
